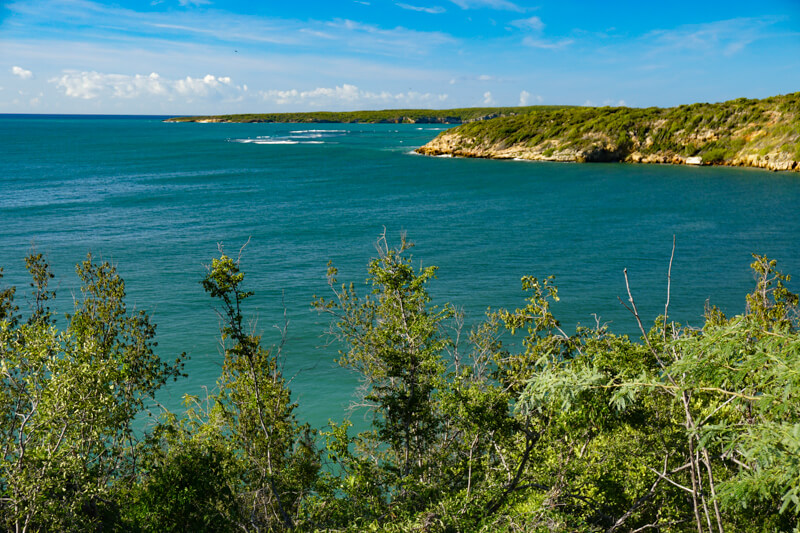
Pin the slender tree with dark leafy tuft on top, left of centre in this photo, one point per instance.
(252, 411)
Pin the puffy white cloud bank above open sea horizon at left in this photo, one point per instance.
(90, 85)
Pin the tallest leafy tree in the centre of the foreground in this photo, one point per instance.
(395, 343)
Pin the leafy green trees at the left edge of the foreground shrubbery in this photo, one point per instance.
(68, 400)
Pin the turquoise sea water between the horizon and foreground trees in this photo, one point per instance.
(156, 199)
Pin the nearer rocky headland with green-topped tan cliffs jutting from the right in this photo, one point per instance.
(753, 133)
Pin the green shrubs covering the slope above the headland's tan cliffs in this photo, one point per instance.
(716, 132)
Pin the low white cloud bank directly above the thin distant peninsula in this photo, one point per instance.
(349, 96)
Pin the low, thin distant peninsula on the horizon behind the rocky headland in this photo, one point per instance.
(388, 116)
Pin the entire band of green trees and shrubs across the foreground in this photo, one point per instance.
(682, 430)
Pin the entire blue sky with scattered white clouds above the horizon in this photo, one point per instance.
(173, 57)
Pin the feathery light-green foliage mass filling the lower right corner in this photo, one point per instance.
(698, 427)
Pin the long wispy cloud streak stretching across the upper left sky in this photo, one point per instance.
(72, 17)
